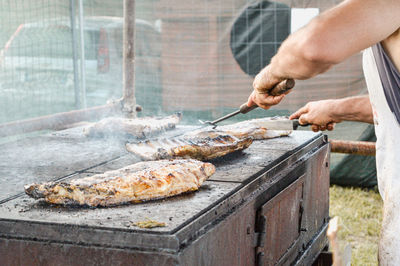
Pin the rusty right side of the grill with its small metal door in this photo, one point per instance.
(295, 204)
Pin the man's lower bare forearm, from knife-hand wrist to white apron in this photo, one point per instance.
(353, 109)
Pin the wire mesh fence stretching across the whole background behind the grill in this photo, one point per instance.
(196, 57)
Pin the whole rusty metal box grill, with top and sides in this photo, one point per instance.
(266, 205)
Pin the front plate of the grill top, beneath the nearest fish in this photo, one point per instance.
(174, 211)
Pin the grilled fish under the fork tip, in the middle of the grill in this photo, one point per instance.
(200, 147)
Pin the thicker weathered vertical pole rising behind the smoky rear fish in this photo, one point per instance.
(128, 75)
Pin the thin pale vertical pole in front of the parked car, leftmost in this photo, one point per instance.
(75, 54)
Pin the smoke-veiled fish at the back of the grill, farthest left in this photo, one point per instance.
(137, 127)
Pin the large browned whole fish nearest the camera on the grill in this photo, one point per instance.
(134, 183)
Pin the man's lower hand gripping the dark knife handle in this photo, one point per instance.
(321, 114)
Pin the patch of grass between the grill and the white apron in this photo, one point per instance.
(360, 216)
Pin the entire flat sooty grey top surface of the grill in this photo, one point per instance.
(69, 155)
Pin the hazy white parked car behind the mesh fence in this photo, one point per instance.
(39, 57)
